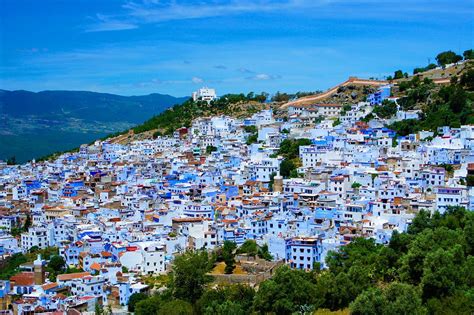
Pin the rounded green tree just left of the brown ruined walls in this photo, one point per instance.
(189, 275)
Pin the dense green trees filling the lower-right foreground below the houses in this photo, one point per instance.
(428, 269)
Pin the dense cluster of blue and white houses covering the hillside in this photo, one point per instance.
(120, 211)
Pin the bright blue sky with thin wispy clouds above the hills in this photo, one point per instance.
(161, 46)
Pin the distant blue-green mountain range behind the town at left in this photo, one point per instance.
(36, 124)
